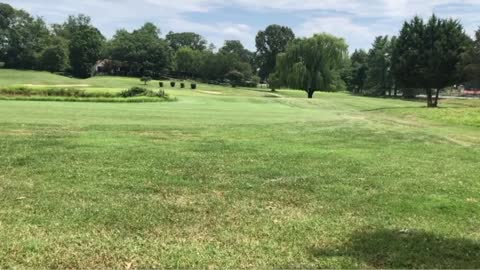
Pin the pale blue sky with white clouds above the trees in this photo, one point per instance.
(358, 21)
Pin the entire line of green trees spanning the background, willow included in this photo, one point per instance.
(425, 57)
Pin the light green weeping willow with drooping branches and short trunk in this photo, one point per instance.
(312, 64)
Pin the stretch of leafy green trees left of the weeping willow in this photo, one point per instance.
(76, 46)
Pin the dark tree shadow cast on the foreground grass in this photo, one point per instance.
(415, 249)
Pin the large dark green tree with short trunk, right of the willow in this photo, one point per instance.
(428, 54)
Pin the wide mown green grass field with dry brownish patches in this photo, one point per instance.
(237, 178)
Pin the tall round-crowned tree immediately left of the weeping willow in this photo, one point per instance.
(271, 42)
